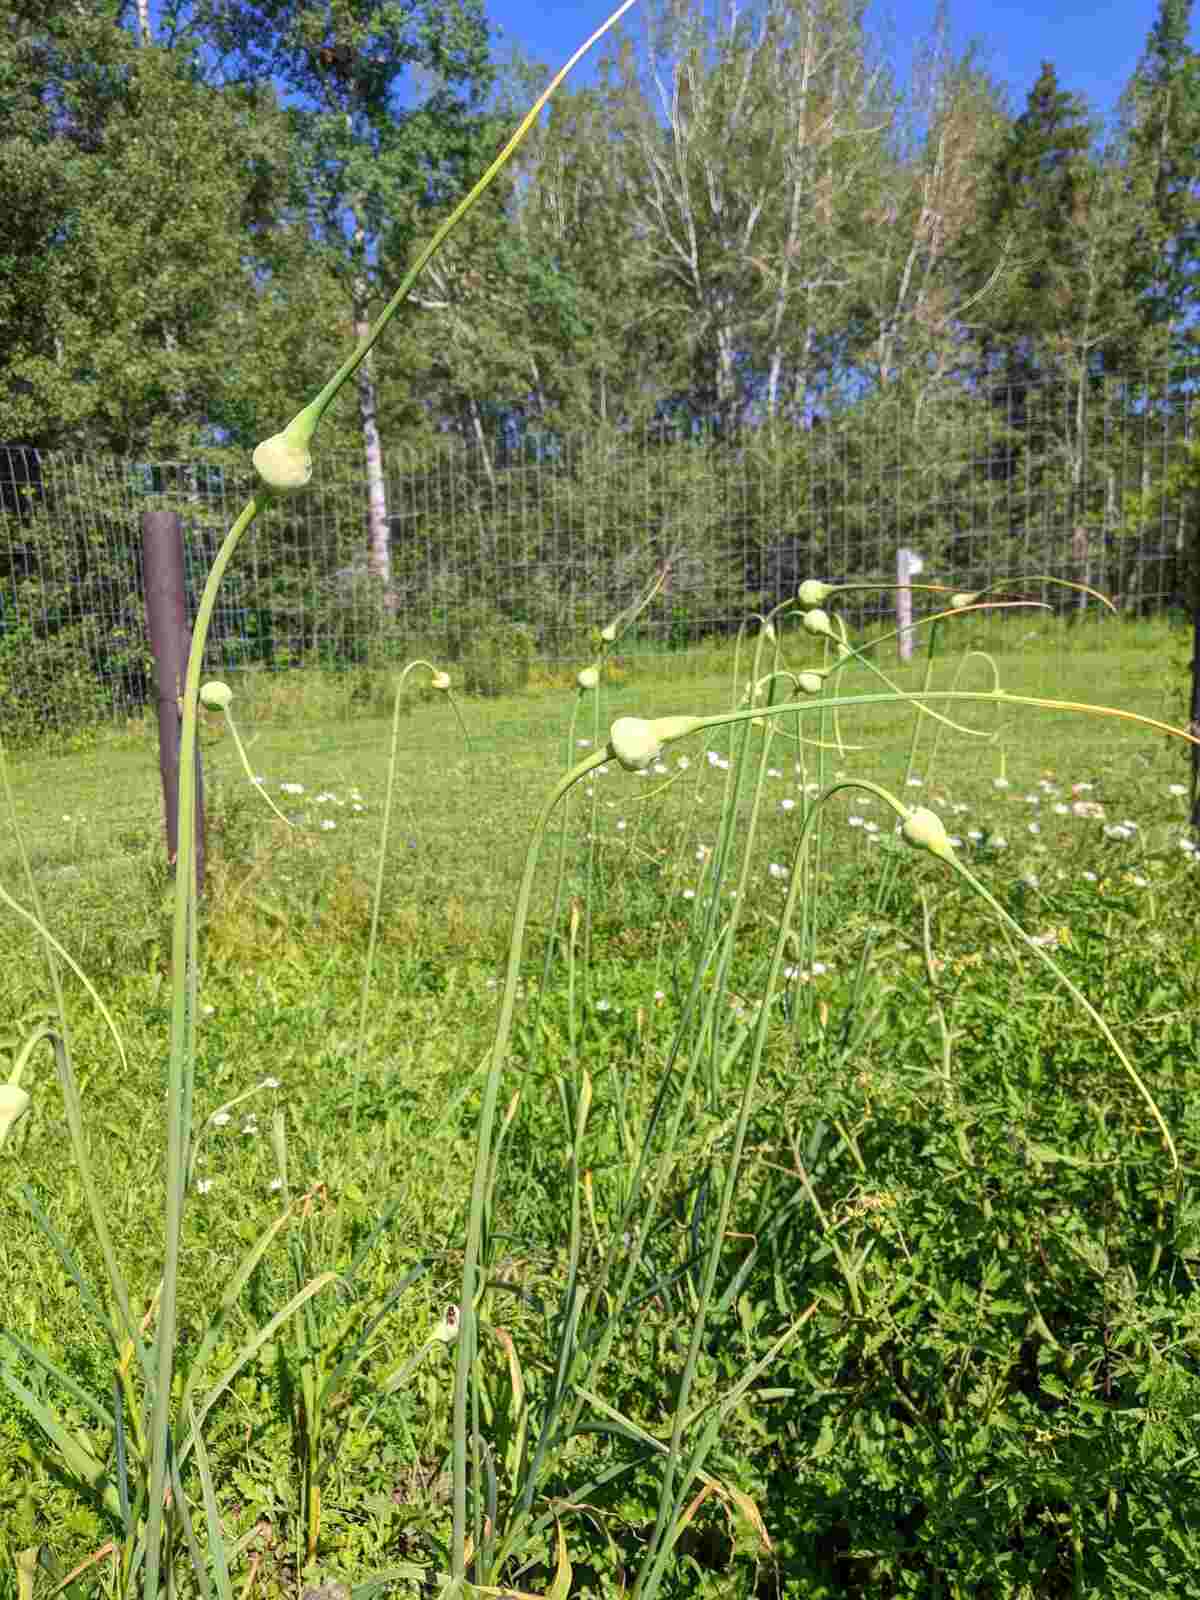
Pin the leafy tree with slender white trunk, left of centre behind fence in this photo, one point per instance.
(386, 102)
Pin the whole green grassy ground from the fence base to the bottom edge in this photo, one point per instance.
(994, 1390)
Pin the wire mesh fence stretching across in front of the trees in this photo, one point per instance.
(516, 553)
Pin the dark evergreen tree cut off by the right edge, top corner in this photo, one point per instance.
(1162, 113)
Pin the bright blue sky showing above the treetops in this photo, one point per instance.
(1095, 44)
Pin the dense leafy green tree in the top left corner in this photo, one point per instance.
(122, 326)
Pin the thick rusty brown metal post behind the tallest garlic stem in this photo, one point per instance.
(170, 642)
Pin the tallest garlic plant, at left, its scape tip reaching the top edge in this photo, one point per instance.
(151, 1503)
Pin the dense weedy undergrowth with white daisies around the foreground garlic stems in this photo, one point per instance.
(996, 1391)
